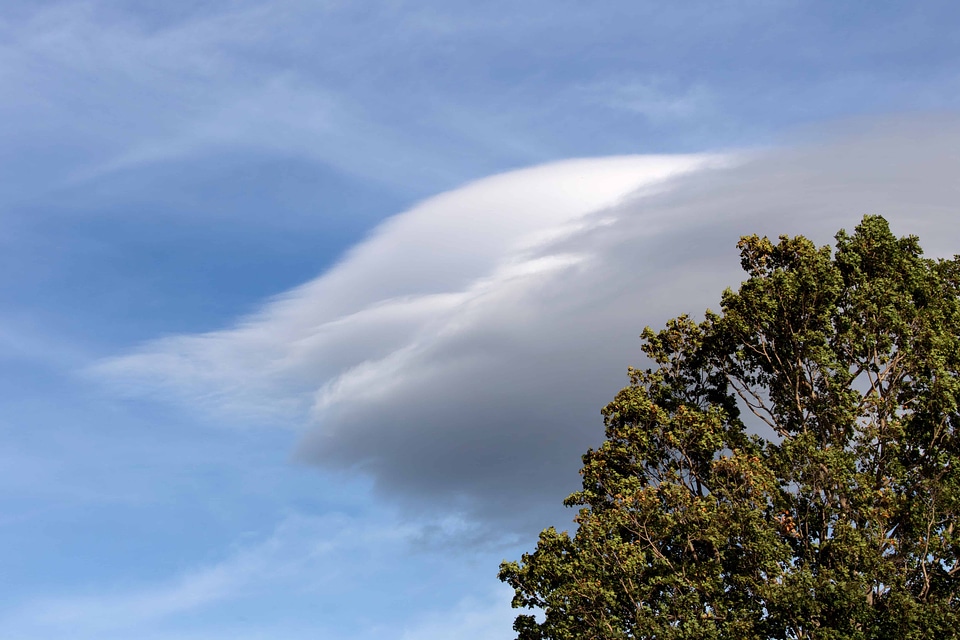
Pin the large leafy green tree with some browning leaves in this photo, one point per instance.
(789, 467)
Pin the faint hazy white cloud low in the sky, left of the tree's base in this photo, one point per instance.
(307, 560)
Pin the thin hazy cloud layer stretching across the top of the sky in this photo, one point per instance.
(415, 95)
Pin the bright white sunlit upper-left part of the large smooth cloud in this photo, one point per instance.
(409, 282)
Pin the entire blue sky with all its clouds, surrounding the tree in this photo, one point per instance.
(308, 309)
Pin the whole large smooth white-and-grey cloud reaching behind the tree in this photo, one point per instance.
(461, 353)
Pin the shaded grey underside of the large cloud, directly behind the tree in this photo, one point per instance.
(491, 414)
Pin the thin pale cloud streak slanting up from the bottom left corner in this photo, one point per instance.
(316, 557)
